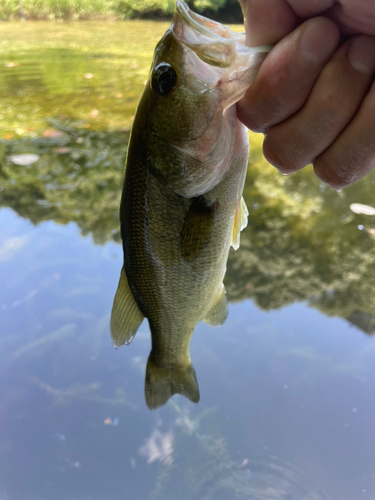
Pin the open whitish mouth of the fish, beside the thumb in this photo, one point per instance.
(214, 43)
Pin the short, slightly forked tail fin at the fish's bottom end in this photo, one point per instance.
(163, 383)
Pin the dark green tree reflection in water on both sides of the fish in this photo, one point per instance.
(302, 242)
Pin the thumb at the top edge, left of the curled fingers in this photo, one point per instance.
(267, 21)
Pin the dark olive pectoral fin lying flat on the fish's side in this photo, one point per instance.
(197, 229)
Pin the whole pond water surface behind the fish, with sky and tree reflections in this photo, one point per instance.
(287, 383)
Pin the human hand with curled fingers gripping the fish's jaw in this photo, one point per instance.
(313, 97)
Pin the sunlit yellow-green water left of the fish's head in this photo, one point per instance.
(51, 70)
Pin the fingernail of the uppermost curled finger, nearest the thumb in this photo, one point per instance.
(318, 40)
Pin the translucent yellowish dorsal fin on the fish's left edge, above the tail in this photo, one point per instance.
(126, 316)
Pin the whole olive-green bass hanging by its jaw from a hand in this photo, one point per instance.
(181, 206)
